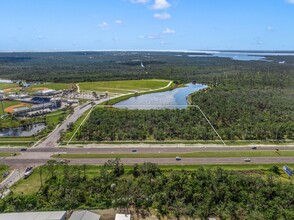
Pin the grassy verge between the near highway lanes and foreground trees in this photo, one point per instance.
(33, 183)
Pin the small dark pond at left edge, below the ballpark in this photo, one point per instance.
(25, 131)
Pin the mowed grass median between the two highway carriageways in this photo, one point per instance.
(200, 154)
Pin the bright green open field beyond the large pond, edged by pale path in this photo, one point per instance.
(123, 87)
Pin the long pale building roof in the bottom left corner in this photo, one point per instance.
(59, 215)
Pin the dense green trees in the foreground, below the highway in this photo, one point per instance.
(201, 193)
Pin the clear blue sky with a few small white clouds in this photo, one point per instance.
(58, 25)
